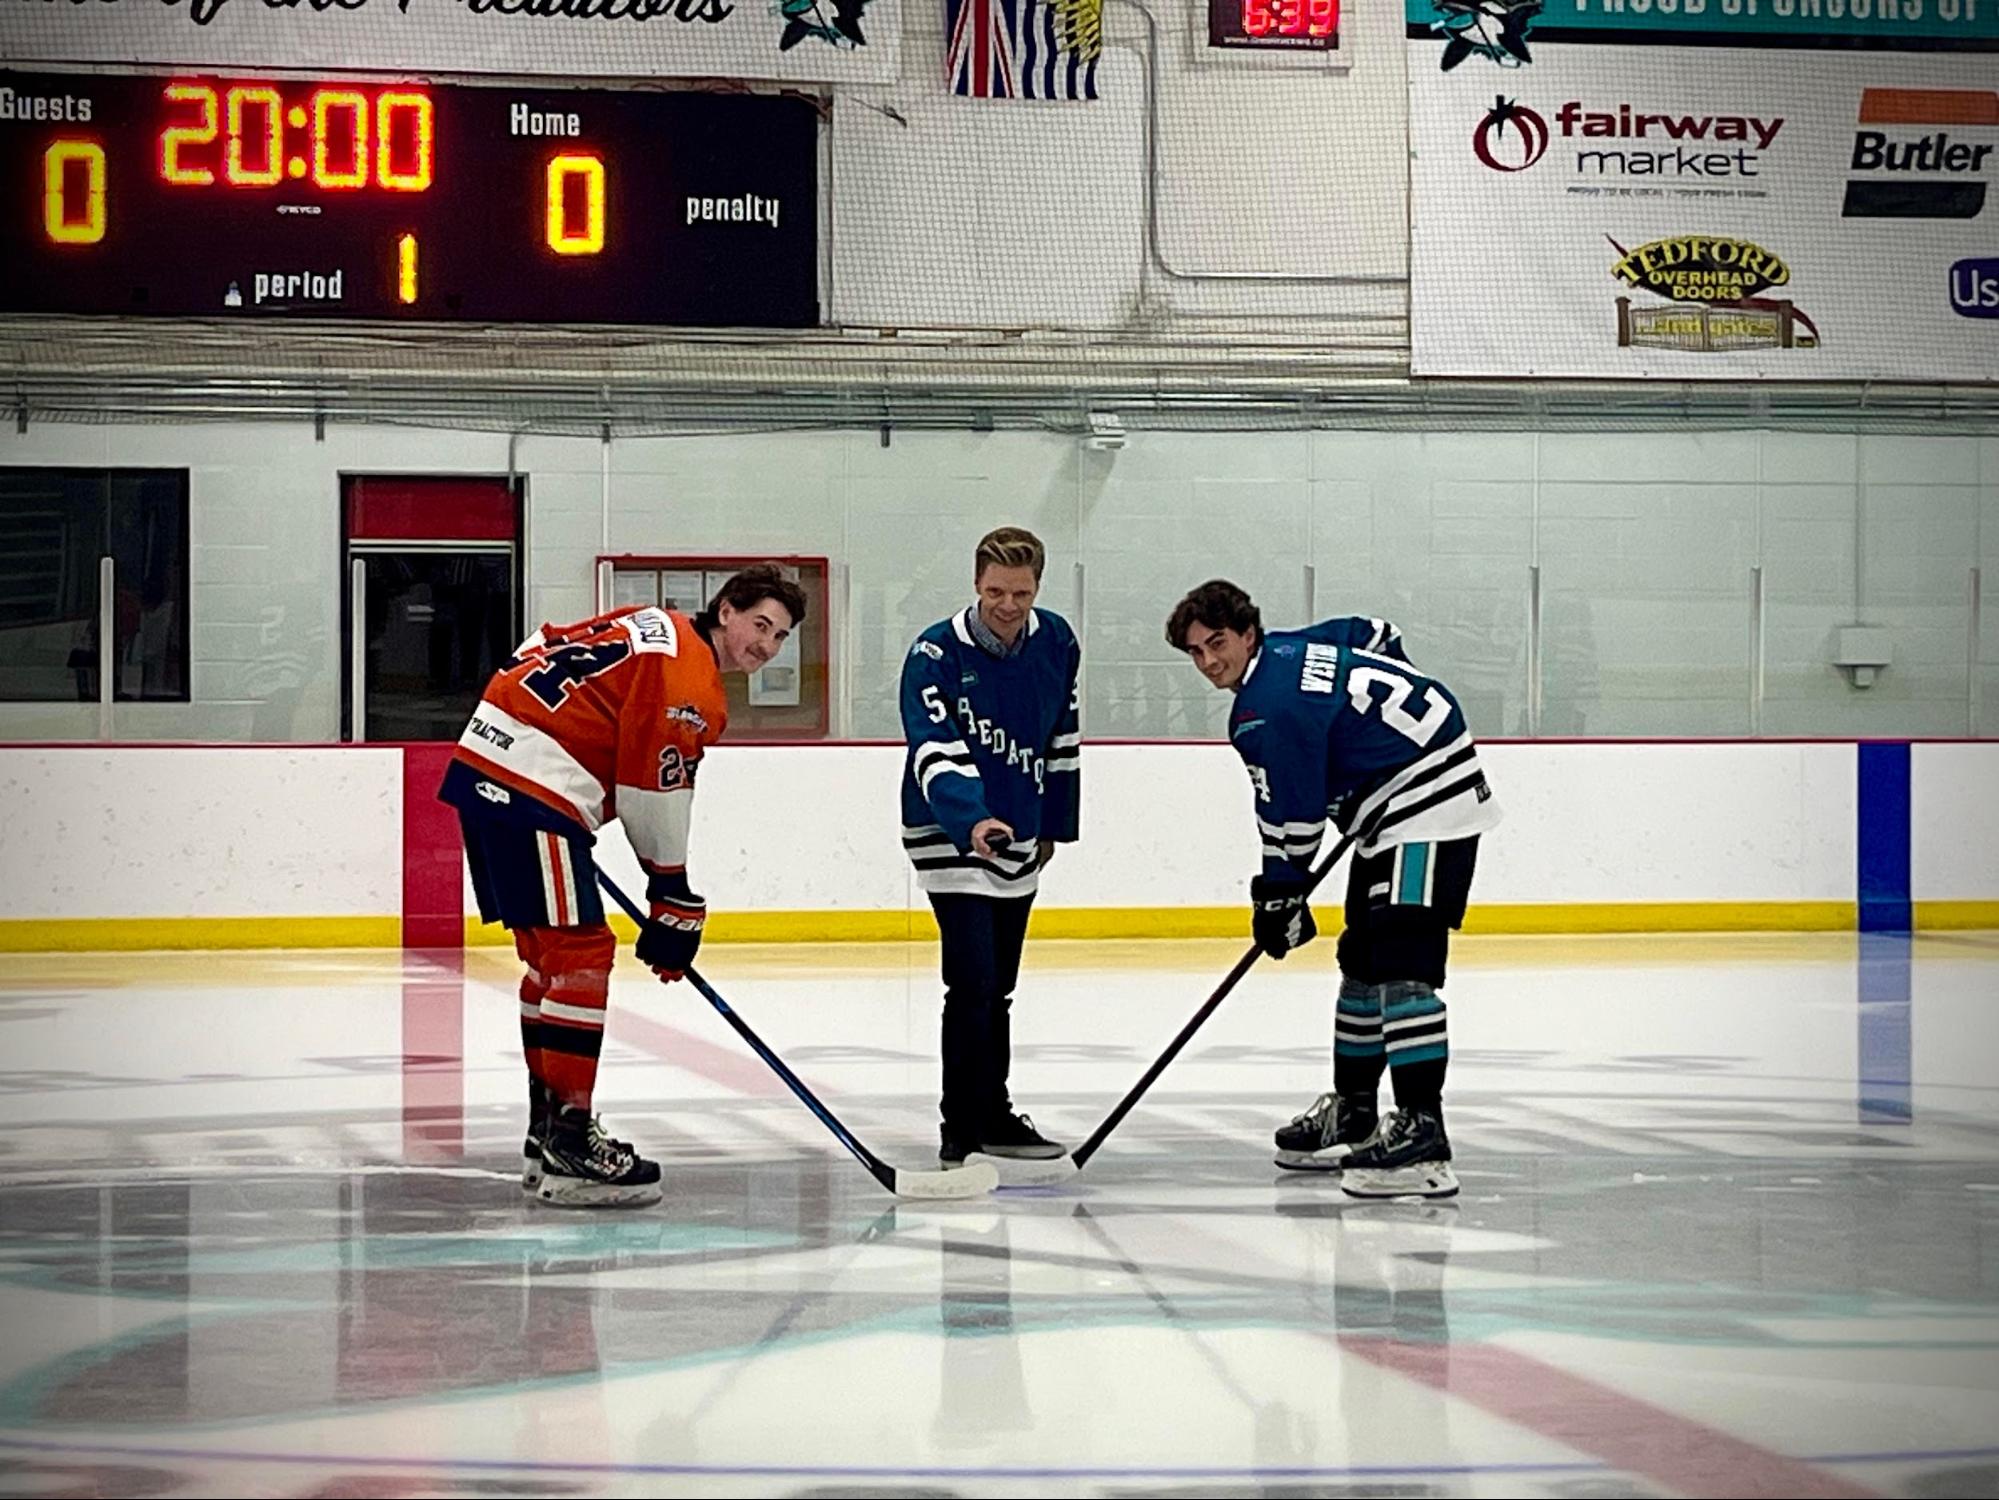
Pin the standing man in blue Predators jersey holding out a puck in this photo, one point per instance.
(991, 787)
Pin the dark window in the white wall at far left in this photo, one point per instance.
(55, 527)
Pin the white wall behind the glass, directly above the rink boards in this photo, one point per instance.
(1646, 545)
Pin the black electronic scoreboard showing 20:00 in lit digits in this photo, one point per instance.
(243, 197)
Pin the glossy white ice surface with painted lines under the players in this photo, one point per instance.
(1730, 1225)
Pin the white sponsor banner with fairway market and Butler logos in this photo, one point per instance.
(1698, 211)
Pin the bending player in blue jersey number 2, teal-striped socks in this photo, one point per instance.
(1336, 725)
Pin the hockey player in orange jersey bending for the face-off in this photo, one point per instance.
(597, 721)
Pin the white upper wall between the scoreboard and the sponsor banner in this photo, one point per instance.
(1030, 215)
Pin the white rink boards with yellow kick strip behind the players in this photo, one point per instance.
(199, 847)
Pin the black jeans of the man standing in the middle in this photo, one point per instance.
(983, 941)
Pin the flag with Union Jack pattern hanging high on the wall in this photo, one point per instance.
(1022, 49)
